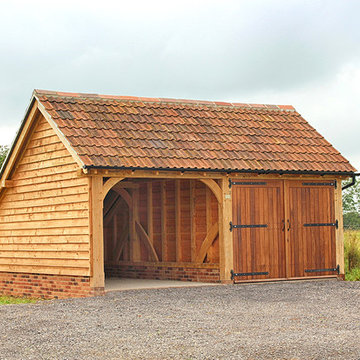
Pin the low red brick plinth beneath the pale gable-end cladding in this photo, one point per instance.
(46, 286)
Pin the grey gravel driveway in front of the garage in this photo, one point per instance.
(293, 320)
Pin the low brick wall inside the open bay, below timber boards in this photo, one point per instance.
(164, 273)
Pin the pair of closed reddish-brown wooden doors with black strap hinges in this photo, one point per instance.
(296, 237)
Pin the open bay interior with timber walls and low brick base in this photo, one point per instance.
(161, 229)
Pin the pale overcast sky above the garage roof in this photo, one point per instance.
(304, 53)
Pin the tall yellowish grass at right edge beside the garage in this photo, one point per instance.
(352, 255)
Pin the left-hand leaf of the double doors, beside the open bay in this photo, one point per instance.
(258, 229)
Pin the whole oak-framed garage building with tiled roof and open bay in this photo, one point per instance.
(97, 186)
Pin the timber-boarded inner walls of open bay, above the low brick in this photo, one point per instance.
(177, 221)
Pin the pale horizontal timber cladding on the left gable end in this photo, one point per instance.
(44, 215)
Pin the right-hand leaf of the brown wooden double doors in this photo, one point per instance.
(310, 228)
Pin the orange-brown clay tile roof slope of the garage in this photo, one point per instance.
(155, 133)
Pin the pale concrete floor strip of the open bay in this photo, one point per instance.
(120, 284)
